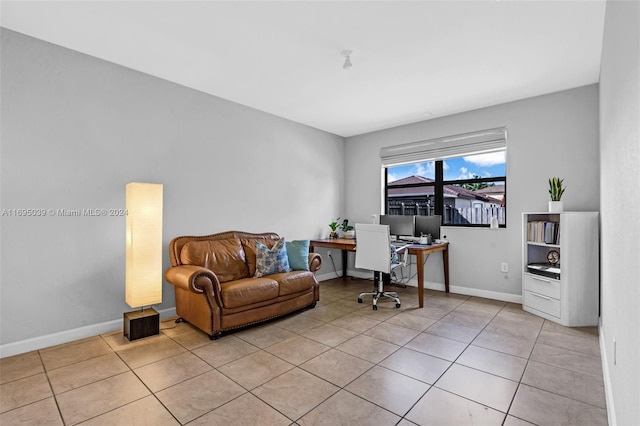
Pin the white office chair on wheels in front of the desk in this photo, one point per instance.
(373, 252)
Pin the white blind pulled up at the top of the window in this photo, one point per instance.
(480, 142)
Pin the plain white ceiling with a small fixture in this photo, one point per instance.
(412, 60)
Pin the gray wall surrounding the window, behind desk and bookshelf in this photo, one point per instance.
(551, 135)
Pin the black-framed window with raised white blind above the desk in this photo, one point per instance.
(462, 177)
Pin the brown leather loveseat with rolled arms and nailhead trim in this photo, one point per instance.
(215, 286)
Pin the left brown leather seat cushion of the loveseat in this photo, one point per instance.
(247, 291)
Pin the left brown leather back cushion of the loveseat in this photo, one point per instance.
(226, 258)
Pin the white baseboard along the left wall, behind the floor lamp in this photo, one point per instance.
(35, 343)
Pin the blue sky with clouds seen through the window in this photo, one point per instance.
(483, 165)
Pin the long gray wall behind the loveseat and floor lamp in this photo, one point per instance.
(76, 129)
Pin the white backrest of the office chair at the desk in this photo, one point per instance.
(373, 247)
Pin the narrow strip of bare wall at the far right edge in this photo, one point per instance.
(620, 200)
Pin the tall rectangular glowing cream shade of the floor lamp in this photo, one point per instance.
(144, 244)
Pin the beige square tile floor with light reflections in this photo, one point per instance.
(458, 361)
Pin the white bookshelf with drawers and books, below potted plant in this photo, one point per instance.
(566, 293)
